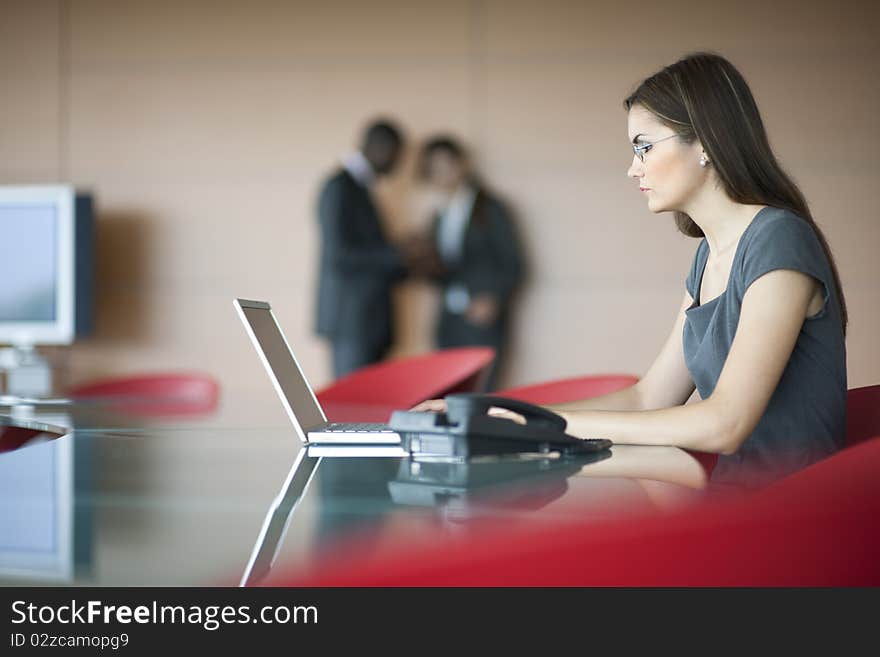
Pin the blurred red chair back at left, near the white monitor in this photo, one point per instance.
(159, 394)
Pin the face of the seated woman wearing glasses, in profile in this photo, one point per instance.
(671, 173)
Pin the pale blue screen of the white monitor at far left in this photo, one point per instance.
(29, 266)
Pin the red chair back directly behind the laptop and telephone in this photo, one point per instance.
(407, 381)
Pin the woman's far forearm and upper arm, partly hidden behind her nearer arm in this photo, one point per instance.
(666, 383)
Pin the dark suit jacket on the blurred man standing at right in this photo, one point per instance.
(491, 262)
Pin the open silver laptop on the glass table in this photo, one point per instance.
(296, 394)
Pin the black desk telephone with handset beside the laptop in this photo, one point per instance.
(466, 429)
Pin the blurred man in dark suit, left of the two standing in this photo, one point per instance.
(359, 265)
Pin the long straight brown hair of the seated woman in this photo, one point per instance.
(703, 96)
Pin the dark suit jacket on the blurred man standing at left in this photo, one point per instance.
(358, 266)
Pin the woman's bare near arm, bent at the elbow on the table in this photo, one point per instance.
(773, 311)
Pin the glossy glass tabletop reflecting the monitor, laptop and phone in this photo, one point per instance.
(226, 499)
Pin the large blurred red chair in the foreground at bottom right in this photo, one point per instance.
(815, 528)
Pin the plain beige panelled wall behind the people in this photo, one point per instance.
(204, 128)
